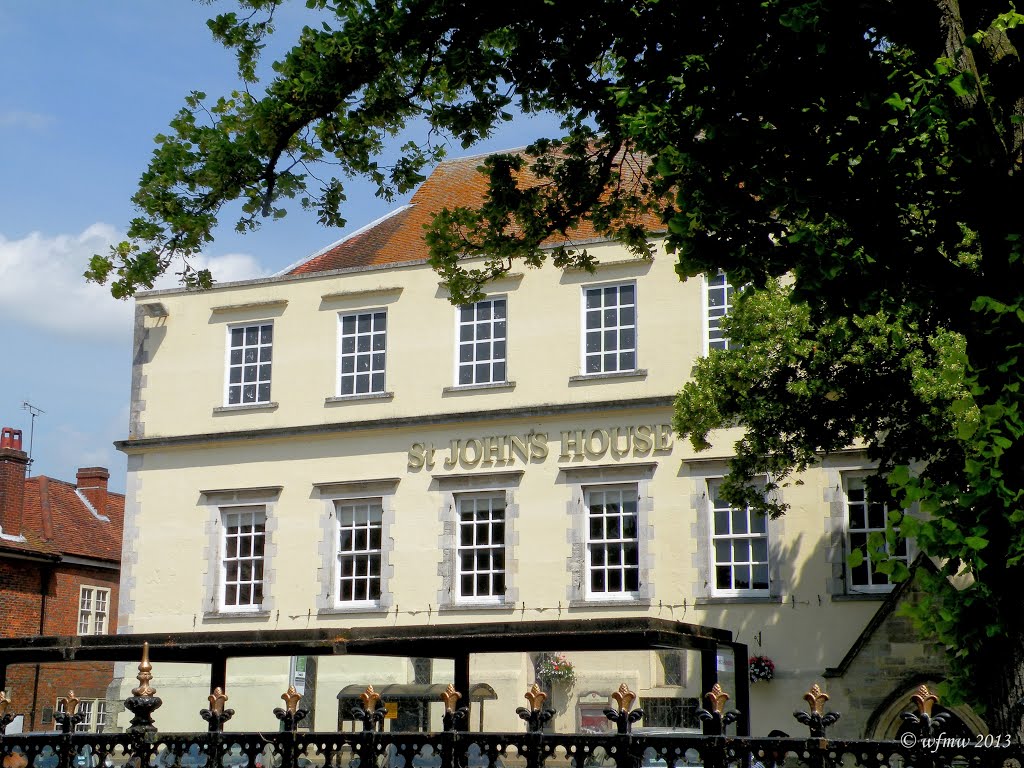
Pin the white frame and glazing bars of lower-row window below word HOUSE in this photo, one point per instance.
(628, 491)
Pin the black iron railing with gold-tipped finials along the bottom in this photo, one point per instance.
(922, 745)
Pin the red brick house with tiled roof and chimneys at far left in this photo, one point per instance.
(60, 569)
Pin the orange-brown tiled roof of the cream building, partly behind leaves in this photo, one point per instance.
(399, 238)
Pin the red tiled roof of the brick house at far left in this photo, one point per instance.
(58, 522)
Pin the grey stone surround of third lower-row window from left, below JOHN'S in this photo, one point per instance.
(448, 543)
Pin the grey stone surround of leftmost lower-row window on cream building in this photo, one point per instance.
(216, 503)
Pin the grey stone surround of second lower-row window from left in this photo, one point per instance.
(327, 572)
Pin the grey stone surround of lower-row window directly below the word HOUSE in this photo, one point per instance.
(579, 480)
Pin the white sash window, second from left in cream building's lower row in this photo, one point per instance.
(361, 531)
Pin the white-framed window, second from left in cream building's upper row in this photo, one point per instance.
(362, 353)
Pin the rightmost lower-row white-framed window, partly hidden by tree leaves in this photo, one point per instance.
(867, 518)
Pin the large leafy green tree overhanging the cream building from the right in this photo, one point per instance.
(871, 150)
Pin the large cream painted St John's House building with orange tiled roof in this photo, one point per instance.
(338, 446)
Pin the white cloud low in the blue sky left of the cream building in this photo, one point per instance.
(41, 283)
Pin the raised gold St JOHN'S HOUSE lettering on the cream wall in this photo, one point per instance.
(574, 445)
